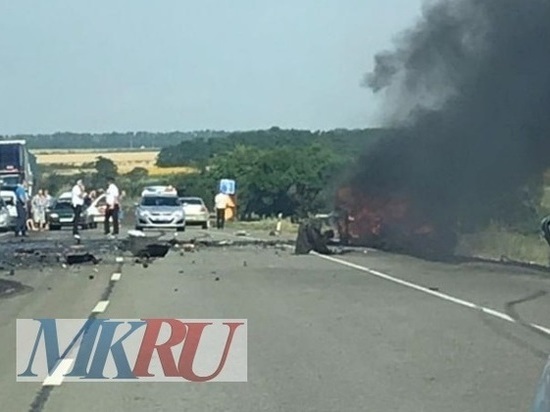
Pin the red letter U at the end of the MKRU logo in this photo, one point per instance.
(189, 351)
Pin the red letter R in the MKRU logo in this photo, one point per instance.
(149, 345)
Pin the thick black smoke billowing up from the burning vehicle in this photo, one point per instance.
(468, 97)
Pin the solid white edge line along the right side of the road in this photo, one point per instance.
(440, 295)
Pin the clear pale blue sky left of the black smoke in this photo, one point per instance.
(129, 65)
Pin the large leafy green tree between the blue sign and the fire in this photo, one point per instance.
(283, 180)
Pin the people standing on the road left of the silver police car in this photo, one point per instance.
(31, 212)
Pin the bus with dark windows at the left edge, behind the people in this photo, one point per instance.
(16, 163)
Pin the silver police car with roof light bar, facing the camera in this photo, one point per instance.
(160, 211)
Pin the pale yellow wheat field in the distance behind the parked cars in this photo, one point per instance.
(125, 161)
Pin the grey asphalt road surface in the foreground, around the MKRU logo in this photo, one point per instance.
(358, 332)
